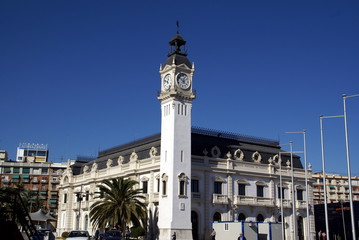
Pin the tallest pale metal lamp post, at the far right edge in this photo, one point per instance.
(348, 163)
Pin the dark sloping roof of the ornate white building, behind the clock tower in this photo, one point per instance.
(203, 141)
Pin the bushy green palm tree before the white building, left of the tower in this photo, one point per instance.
(119, 204)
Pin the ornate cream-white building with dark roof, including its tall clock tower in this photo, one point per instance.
(193, 176)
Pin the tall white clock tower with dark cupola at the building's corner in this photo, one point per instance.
(175, 172)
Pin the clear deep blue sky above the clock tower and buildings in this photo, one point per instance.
(82, 76)
